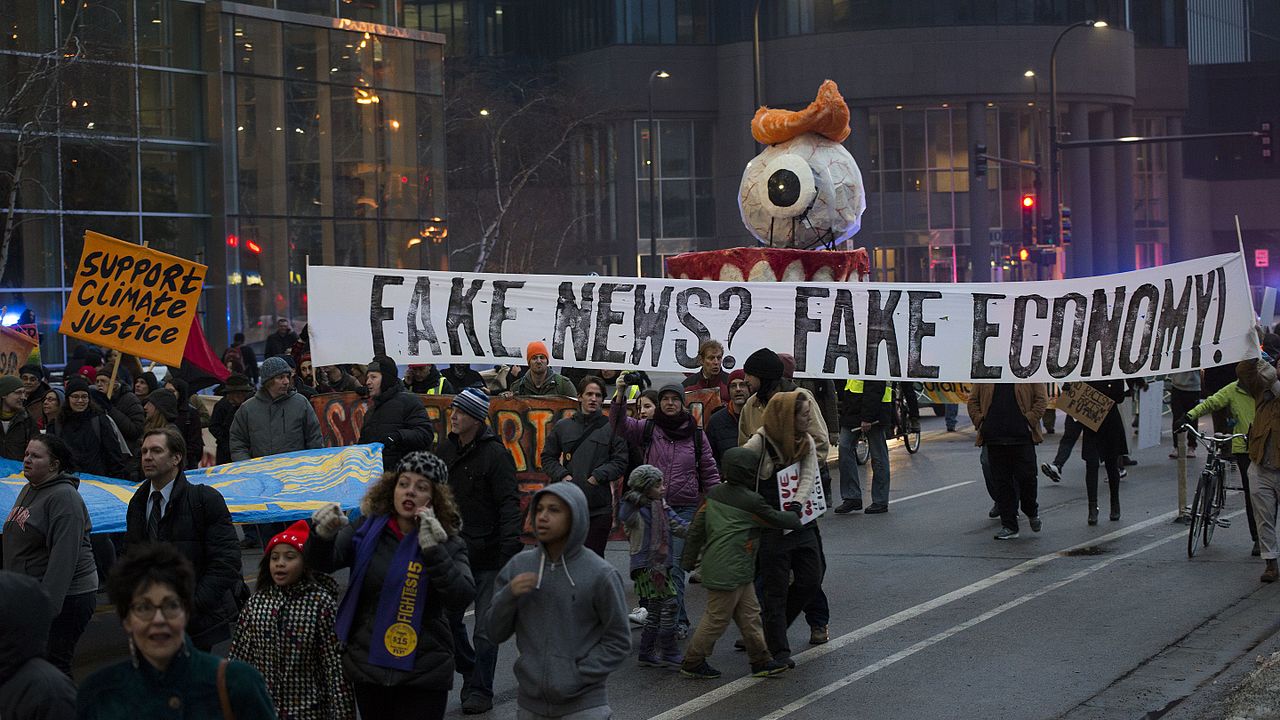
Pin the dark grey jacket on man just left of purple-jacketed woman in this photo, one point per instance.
(584, 446)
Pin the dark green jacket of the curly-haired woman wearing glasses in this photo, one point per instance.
(188, 690)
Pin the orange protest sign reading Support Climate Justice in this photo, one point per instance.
(132, 299)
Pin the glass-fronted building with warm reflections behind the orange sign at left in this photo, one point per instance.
(250, 138)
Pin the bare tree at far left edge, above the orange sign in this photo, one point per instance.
(33, 107)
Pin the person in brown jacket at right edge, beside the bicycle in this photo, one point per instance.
(1259, 379)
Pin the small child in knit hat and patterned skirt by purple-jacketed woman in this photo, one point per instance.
(651, 525)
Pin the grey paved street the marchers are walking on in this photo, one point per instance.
(932, 618)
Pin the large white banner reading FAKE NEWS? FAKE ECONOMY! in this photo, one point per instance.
(1150, 322)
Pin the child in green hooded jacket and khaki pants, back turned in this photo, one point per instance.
(726, 535)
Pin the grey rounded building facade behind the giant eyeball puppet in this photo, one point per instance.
(927, 81)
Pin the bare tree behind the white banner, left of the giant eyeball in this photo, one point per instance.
(509, 131)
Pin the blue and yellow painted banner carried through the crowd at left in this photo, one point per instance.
(267, 490)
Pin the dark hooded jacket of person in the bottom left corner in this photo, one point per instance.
(31, 687)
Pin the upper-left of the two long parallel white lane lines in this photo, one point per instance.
(729, 690)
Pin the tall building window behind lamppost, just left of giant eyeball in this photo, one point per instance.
(687, 211)
